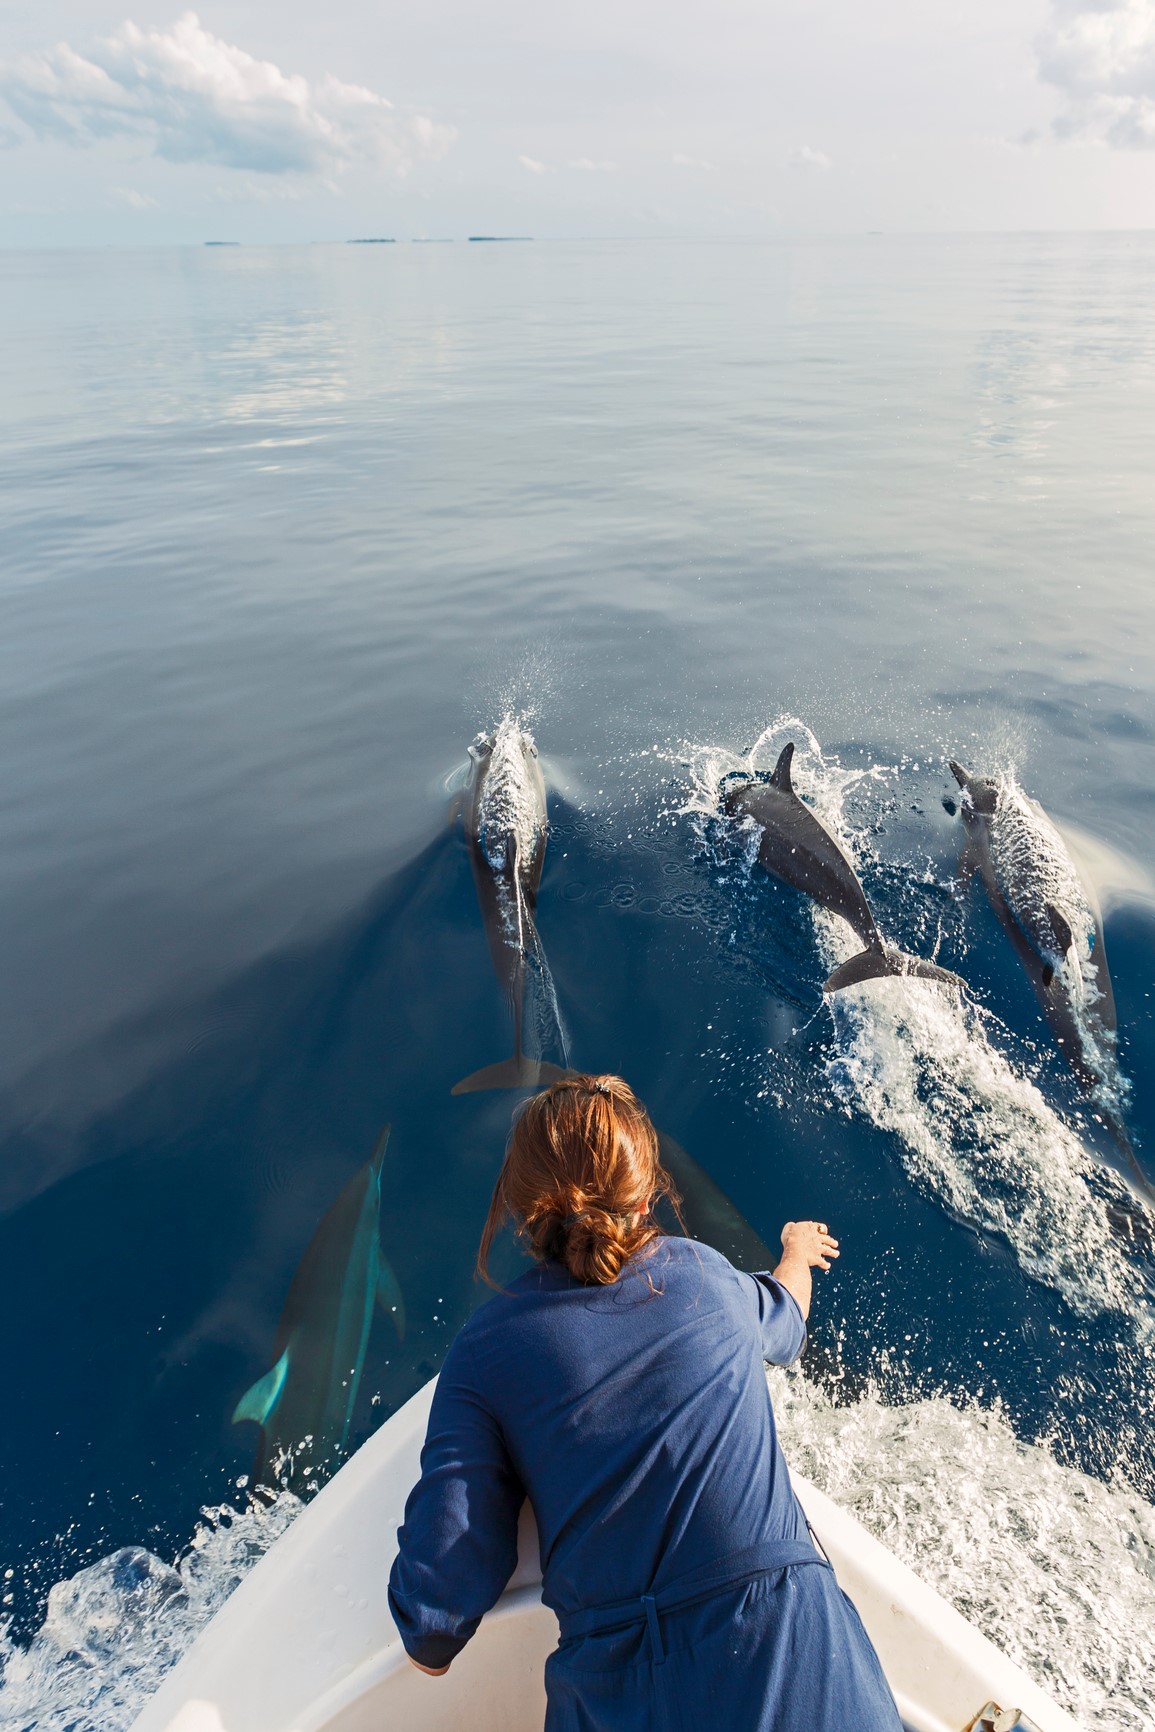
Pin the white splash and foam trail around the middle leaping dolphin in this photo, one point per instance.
(920, 1064)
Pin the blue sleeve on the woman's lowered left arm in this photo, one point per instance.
(460, 1541)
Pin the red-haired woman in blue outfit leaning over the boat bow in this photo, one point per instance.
(619, 1385)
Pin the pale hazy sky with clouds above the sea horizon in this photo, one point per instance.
(132, 122)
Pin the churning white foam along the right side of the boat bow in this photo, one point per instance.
(1054, 1567)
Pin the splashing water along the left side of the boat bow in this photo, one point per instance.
(119, 1627)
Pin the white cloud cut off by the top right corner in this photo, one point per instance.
(1102, 56)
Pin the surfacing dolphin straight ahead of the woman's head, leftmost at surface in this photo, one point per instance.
(507, 829)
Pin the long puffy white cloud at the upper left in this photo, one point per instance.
(191, 98)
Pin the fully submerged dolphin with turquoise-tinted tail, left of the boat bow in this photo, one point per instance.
(325, 1328)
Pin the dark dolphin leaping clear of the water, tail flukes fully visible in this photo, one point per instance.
(803, 853)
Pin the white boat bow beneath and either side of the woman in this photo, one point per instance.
(307, 1643)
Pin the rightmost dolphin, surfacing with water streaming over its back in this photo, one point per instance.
(1055, 929)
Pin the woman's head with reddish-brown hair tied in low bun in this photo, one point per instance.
(581, 1177)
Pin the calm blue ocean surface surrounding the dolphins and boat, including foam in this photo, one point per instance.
(283, 531)
